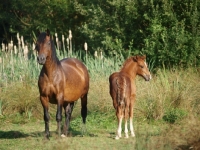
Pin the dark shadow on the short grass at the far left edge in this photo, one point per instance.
(12, 134)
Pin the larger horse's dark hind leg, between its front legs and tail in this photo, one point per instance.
(68, 112)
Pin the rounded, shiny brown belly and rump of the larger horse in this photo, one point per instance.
(76, 78)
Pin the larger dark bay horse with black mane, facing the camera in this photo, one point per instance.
(60, 82)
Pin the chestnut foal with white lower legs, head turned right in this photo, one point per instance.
(123, 90)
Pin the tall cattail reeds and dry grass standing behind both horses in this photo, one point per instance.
(171, 95)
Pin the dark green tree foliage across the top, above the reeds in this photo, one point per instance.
(166, 31)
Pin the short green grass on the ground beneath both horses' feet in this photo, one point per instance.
(29, 135)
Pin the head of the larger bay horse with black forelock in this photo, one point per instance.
(43, 47)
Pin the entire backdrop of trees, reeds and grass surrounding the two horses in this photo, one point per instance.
(167, 111)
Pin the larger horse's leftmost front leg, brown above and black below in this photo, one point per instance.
(45, 101)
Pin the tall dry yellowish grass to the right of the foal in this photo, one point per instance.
(172, 94)
